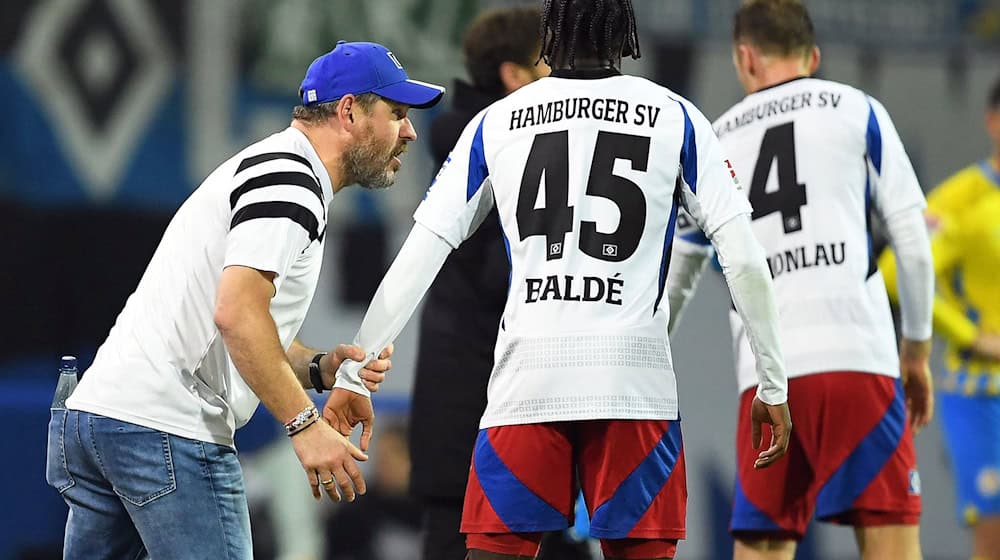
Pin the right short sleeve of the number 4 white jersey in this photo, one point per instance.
(894, 185)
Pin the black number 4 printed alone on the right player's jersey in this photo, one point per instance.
(778, 144)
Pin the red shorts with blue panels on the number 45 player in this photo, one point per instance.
(631, 473)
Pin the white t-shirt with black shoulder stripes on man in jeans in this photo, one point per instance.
(164, 364)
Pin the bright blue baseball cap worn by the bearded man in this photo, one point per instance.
(358, 68)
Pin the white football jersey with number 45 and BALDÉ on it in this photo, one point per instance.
(586, 175)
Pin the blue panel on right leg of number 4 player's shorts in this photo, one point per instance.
(865, 462)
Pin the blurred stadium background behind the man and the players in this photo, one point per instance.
(113, 110)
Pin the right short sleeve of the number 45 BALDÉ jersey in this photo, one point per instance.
(711, 193)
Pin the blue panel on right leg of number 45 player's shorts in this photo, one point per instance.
(616, 517)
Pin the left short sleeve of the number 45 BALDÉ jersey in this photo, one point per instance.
(461, 195)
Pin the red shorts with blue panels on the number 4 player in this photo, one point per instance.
(850, 460)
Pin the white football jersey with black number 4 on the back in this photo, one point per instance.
(816, 158)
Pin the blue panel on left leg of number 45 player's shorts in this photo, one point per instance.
(520, 509)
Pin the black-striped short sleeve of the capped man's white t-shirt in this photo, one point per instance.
(273, 217)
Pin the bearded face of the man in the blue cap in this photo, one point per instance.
(380, 139)
